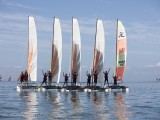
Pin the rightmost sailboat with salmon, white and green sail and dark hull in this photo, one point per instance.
(121, 55)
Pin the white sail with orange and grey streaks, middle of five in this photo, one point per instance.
(76, 49)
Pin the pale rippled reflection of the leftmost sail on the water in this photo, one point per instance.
(30, 98)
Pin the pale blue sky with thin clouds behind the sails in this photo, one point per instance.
(140, 18)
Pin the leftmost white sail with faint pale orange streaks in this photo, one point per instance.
(32, 50)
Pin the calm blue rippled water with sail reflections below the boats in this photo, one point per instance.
(141, 103)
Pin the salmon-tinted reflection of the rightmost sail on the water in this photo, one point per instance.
(121, 108)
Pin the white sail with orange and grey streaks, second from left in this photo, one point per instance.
(56, 51)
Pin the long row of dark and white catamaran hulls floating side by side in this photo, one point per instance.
(75, 88)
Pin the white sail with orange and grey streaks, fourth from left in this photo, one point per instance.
(99, 47)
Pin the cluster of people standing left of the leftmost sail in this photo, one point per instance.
(23, 78)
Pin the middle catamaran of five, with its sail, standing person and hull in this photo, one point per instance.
(75, 56)
